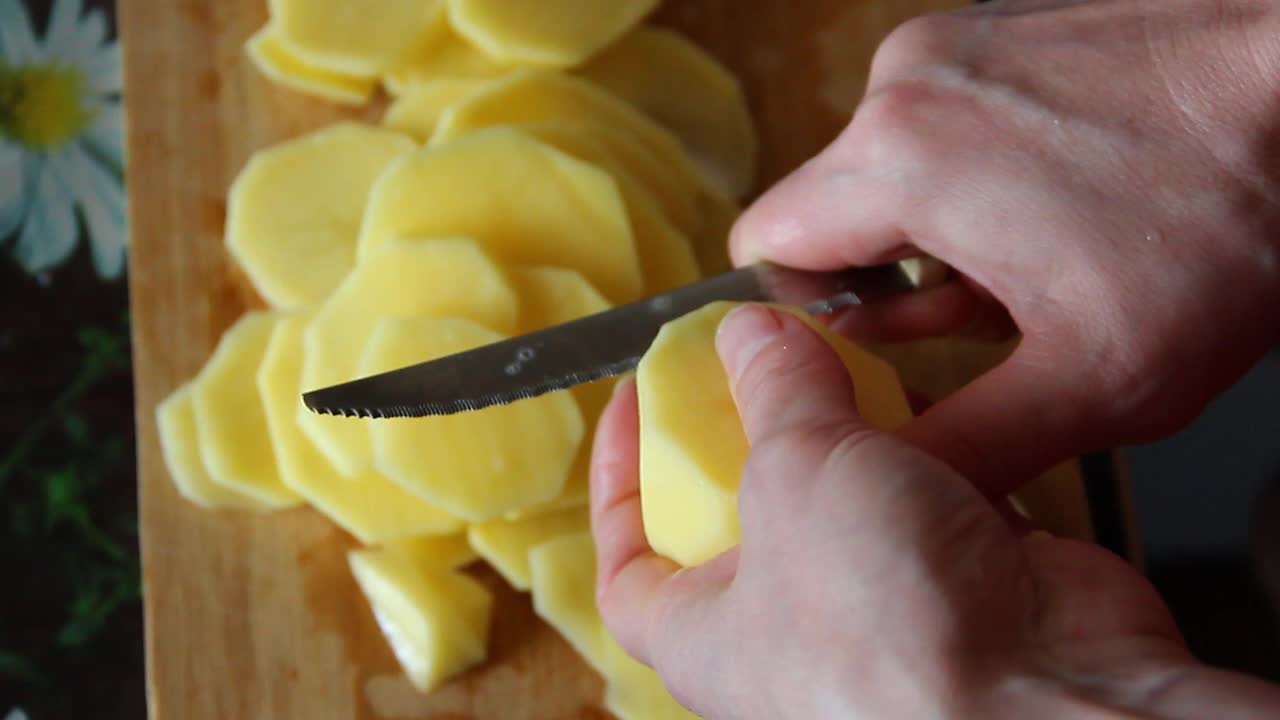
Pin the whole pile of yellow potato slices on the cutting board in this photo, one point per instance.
(542, 161)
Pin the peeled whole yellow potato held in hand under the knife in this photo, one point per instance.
(692, 443)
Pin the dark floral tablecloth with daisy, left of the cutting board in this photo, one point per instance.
(71, 632)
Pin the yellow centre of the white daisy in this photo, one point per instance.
(42, 107)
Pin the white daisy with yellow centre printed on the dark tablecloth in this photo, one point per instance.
(62, 139)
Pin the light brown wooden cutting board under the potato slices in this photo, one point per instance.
(257, 617)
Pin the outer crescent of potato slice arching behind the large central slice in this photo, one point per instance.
(652, 154)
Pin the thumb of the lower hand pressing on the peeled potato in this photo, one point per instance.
(783, 375)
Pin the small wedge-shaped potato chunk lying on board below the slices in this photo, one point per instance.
(436, 619)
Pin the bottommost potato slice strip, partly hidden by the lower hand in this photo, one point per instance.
(564, 589)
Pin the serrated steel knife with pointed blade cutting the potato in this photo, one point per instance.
(602, 345)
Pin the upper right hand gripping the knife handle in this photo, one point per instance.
(1105, 171)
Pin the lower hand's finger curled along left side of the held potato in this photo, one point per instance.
(648, 604)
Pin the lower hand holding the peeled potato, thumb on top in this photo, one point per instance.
(876, 582)
